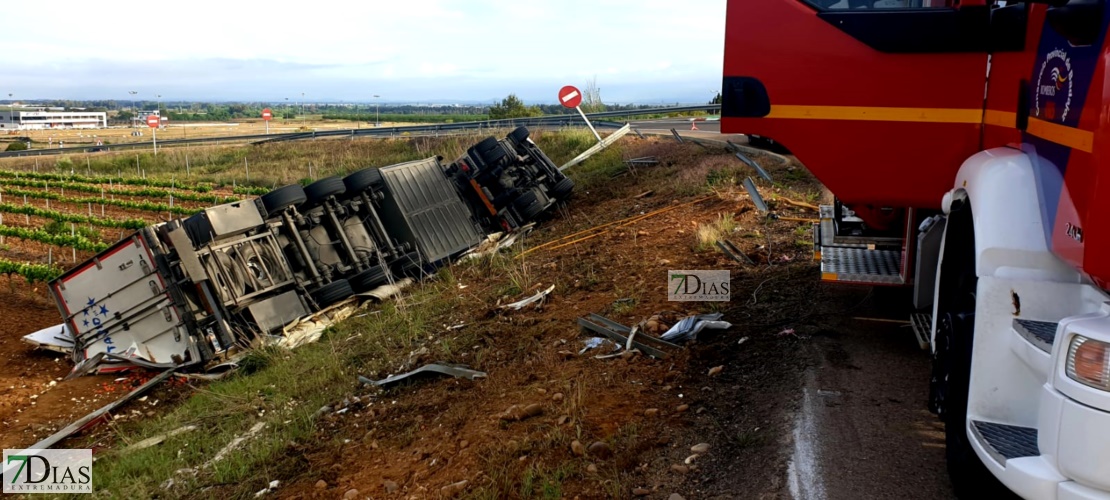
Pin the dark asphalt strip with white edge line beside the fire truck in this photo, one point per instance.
(862, 429)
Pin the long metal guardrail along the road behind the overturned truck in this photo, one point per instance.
(550, 121)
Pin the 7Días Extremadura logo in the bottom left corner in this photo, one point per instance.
(47, 472)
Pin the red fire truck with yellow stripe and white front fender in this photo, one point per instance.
(964, 143)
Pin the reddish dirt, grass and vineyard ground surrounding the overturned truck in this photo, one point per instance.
(602, 255)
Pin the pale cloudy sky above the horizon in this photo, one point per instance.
(642, 52)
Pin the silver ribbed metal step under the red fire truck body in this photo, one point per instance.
(862, 266)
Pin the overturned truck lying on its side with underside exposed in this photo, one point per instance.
(181, 294)
